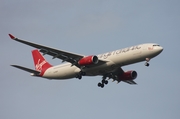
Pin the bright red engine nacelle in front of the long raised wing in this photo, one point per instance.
(93, 59)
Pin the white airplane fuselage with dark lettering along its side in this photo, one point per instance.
(114, 59)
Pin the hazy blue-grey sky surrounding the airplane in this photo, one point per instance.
(90, 27)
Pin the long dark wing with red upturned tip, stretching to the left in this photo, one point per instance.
(56, 53)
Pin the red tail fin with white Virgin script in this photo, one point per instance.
(39, 62)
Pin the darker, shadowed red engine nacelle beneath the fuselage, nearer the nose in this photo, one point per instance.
(129, 75)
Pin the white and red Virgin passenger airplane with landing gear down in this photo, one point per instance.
(108, 65)
